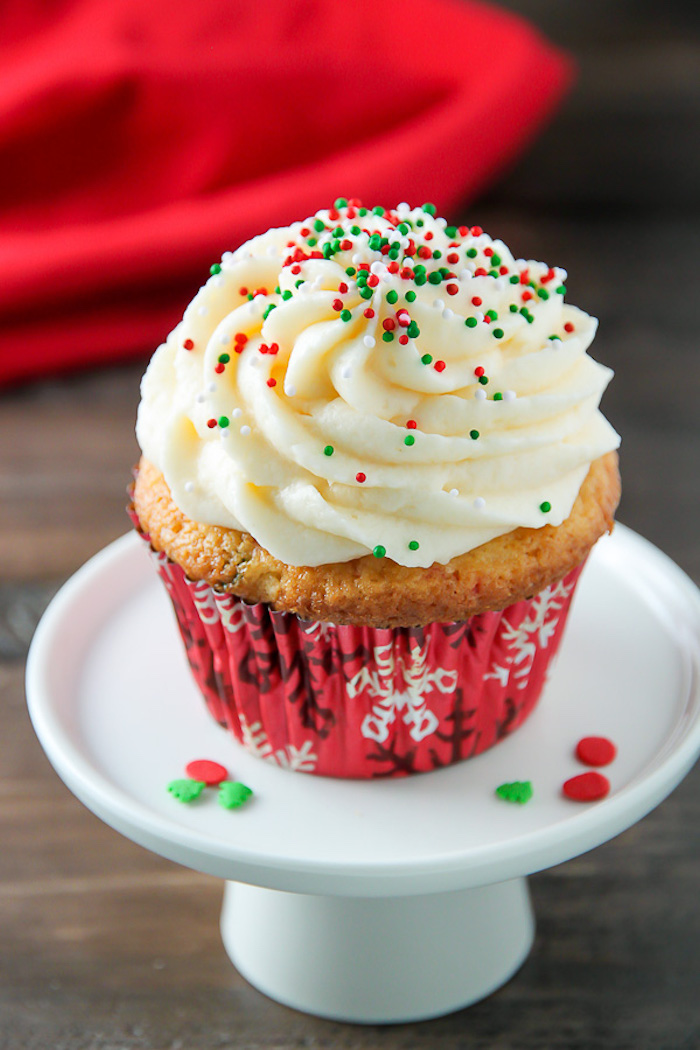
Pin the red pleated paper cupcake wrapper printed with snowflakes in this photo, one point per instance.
(362, 702)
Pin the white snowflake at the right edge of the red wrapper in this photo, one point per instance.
(534, 634)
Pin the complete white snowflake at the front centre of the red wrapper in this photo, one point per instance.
(410, 703)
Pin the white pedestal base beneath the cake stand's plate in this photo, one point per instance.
(378, 960)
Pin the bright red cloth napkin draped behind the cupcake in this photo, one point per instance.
(139, 141)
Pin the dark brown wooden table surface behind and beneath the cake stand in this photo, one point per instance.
(104, 946)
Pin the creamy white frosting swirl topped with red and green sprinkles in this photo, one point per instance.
(333, 408)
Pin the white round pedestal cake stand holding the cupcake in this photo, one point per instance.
(371, 901)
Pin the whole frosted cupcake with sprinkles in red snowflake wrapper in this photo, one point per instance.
(373, 468)
